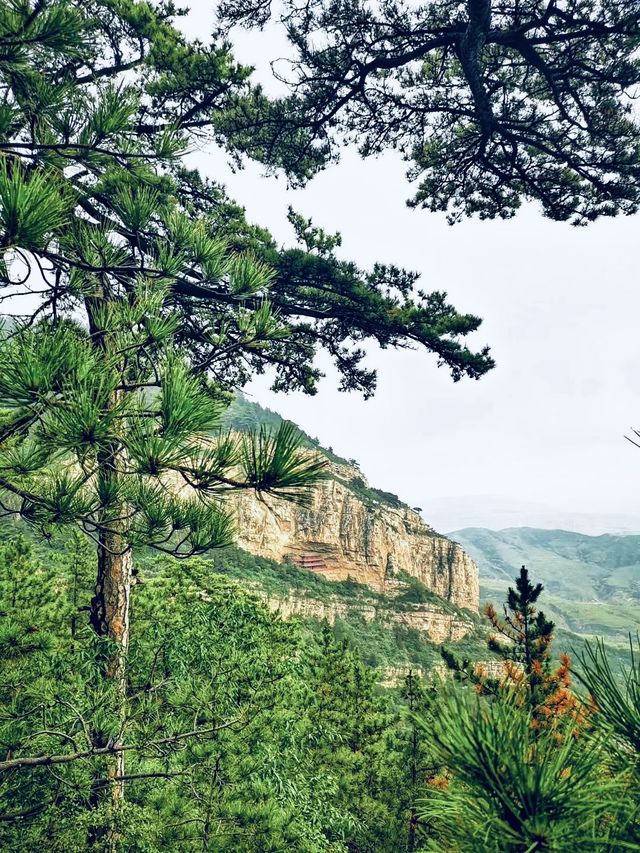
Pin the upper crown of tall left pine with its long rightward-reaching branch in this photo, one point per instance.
(101, 102)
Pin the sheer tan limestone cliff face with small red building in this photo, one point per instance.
(348, 531)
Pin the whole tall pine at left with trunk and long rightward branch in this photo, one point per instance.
(142, 297)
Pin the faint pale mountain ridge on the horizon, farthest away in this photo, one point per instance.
(496, 513)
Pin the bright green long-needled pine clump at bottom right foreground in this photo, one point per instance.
(517, 789)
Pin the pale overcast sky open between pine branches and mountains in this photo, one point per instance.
(561, 307)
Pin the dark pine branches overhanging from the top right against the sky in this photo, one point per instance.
(490, 103)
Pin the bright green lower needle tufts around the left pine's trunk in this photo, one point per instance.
(77, 405)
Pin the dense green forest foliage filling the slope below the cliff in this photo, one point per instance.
(245, 732)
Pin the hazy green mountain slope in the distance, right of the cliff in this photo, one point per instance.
(592, 583)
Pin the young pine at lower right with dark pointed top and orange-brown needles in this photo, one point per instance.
(530, 763)
